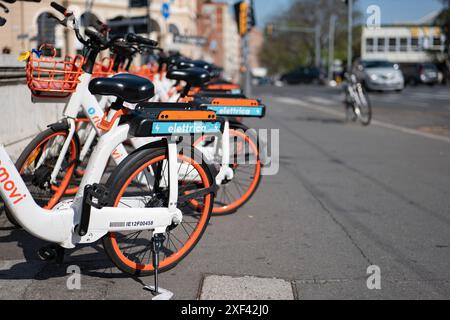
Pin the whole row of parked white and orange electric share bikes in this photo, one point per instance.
(142, 156)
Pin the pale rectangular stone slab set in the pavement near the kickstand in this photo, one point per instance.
(245, 288)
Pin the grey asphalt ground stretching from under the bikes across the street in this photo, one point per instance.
(346, 197)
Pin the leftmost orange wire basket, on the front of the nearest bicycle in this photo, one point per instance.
(50, 77)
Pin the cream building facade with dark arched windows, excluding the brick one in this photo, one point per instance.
(28, 25)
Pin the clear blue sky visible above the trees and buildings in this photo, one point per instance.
(392, 11)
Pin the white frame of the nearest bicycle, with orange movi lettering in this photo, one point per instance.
(59, 225)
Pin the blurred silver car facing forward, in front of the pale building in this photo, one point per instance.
(379, 75)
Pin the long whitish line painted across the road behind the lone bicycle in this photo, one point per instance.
(386, 125)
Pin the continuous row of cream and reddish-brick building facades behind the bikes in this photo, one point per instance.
(28, 26)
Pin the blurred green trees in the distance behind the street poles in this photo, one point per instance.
(284, 50)
